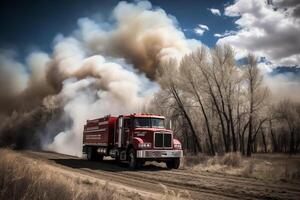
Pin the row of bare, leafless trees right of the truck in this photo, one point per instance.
(217, 106)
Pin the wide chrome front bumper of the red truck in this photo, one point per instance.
(159, 153)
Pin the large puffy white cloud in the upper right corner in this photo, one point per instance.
(266, 31)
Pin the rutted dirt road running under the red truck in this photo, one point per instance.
(154, 179)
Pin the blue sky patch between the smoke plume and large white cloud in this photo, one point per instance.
(191, 13)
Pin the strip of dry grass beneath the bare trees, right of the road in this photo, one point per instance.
(280, 168)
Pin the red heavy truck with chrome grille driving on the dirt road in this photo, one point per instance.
(135, 138)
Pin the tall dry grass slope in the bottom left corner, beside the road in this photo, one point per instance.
(22, 178)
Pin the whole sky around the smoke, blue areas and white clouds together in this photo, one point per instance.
(269, 29)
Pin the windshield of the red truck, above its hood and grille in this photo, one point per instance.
(149, 123)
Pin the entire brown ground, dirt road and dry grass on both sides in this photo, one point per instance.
(47, 175)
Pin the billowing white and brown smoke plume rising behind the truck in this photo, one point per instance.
(101, 68)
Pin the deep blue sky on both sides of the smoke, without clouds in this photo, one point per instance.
(34, 24)
